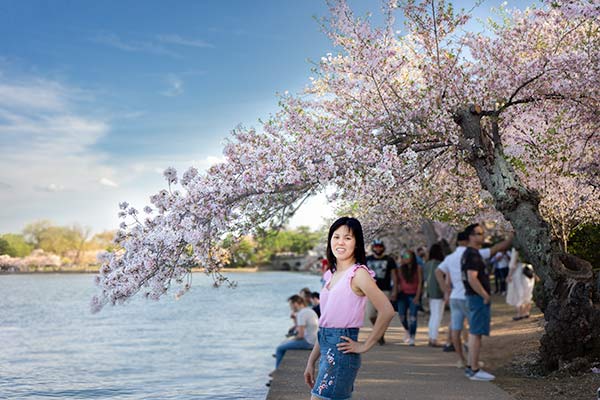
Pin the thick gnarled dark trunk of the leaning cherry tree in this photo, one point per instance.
(566, 292)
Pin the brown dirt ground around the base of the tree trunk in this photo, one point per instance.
(510, 354)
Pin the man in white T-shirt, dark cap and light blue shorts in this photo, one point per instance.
(449, 277)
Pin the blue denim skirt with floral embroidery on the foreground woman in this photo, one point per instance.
(337, 371)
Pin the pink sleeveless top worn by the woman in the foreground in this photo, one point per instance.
(340, 306)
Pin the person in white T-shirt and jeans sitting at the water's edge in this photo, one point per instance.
(307, 326)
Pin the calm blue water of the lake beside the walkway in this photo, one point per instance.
(210, 344)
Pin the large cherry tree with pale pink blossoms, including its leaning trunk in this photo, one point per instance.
(431, 122)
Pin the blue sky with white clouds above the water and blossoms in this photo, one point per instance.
(98, 98)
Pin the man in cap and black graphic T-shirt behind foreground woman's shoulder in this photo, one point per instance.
(384, 267)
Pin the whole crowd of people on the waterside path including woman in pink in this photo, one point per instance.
(378, 286)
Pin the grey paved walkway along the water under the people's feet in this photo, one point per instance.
(393, 372)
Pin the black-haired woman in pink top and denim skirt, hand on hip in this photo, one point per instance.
(349, 283)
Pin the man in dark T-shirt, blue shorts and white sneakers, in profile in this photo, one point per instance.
(476, 280)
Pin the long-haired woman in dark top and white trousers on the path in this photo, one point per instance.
(434, 293)
